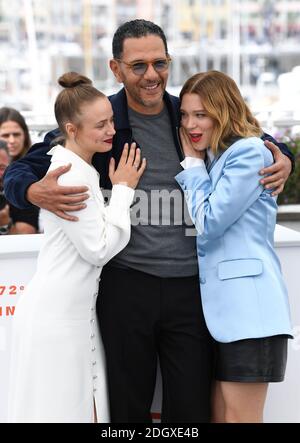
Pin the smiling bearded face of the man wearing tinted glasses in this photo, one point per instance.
(144, 92)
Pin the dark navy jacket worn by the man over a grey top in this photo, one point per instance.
(34, 165)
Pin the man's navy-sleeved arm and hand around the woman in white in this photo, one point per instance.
(25, 183)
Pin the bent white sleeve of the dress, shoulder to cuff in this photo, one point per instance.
(99, 234)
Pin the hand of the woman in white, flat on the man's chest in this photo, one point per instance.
(130, 167)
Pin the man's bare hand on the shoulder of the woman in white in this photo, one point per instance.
(47, 194)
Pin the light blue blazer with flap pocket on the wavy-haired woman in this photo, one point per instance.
(242, 289)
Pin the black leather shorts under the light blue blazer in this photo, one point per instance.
(252, 360)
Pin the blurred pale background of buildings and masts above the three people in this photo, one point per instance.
(252, 40)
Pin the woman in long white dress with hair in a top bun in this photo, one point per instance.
(58, 362)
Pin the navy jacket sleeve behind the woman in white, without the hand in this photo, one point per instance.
(27, 170)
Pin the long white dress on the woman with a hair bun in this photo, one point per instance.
(58, 363)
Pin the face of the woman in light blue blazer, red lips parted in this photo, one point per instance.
(194, 119)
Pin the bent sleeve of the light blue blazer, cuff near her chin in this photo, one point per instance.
(214, 210)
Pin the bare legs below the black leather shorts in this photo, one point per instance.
(242, 402)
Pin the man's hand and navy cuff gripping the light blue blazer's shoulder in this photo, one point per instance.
(280, 171)
